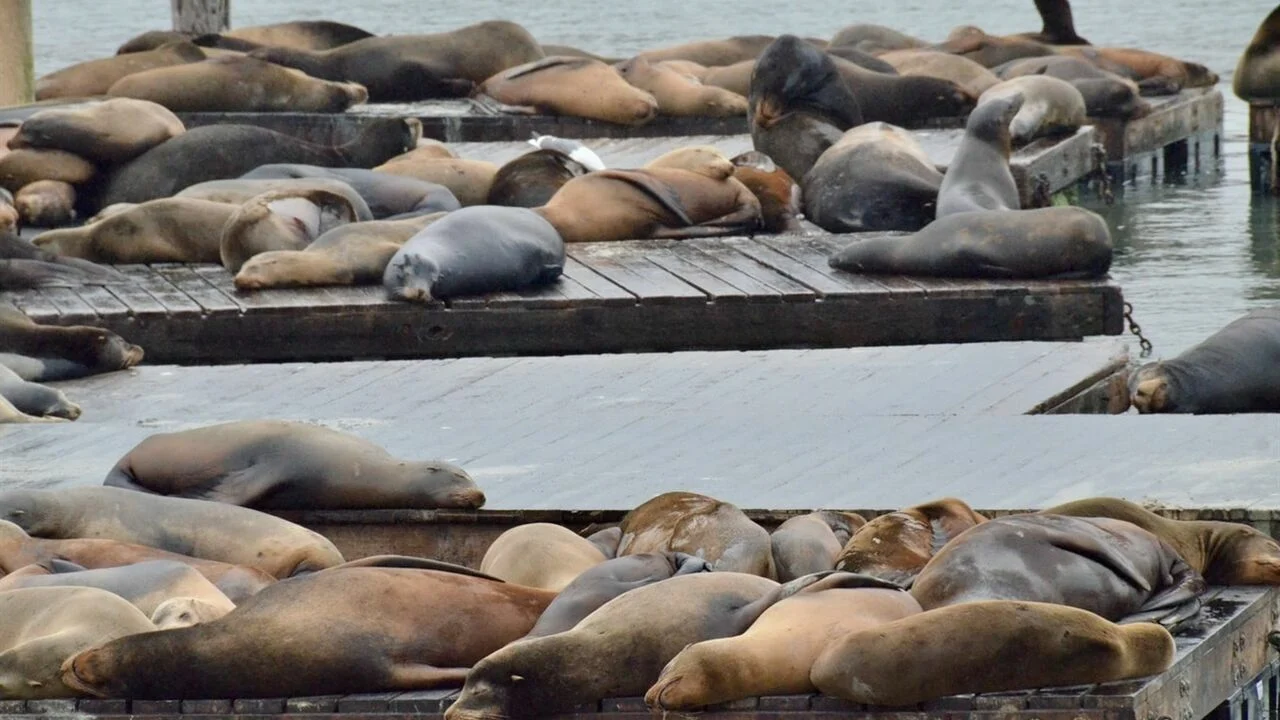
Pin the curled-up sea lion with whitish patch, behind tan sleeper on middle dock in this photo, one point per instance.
(281, 220)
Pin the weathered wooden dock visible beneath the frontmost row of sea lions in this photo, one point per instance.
(1220, 655)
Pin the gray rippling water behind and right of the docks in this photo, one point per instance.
(1192, 254)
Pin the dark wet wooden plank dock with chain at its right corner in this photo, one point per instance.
(636, 297)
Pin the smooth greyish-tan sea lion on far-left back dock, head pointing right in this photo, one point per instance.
(239, 85)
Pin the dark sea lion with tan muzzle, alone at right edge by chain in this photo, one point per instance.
(1228, 372)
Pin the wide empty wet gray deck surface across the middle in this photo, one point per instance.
(784, 430)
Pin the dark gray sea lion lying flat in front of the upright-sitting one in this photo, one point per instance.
(1064, 243)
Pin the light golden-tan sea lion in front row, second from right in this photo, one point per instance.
(775, 655)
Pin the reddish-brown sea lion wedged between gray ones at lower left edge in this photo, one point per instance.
(20, 550)
